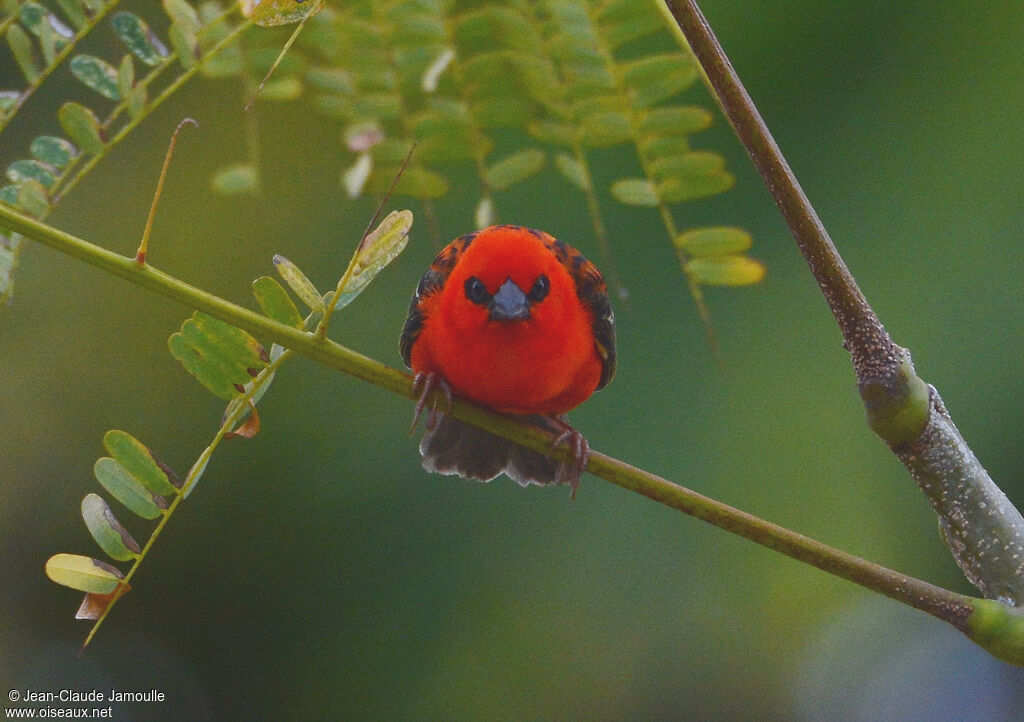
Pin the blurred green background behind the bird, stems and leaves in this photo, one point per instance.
(318, 573)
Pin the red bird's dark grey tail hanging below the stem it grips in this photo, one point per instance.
(451, 447)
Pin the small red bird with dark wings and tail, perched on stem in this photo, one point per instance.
(518, 321)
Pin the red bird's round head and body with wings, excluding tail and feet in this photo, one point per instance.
(516, 320)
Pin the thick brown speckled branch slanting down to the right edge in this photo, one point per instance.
(984, 531)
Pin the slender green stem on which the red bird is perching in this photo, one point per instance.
(998, 627)
